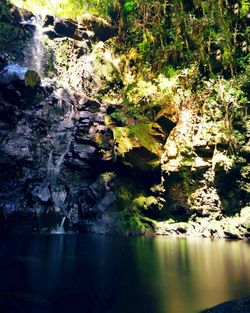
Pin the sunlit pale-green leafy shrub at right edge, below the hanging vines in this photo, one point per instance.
(226, 107)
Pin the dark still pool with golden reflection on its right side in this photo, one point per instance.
(70, 273)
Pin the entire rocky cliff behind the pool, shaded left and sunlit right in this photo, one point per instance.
(67, 156)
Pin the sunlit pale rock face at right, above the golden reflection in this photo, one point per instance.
(202, 182)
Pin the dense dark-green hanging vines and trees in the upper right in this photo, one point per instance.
(214, 33)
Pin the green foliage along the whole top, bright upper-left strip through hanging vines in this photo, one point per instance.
(173, 33)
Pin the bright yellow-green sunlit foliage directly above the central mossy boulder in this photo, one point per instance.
(166, 91)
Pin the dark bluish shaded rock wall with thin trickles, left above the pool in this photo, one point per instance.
(51, 160)
